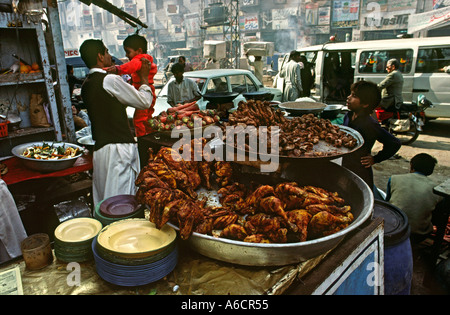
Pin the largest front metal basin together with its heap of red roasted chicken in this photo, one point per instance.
(166, 187)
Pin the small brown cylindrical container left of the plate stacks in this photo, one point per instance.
(36, 251)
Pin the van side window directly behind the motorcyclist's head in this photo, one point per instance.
(375, 61)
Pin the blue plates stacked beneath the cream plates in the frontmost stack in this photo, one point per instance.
(131, 276)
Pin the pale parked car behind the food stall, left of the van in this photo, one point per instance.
(217, 80)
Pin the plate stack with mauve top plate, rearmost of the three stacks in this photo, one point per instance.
(118, 208)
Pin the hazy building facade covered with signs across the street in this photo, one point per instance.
(174, 25)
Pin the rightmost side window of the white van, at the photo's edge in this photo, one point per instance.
(432, 60)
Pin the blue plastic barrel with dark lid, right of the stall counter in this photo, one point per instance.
(398, 260)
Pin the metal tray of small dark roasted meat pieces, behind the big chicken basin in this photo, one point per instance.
(306, 137)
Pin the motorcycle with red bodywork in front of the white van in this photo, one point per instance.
(406, 122)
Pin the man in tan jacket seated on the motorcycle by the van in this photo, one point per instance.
(392, 86)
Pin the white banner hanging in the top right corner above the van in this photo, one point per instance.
(429, 20)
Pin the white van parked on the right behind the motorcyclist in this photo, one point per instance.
(423, 62)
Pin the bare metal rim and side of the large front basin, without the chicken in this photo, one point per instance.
(329, 176)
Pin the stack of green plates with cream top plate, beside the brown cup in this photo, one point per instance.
(73, 239)
